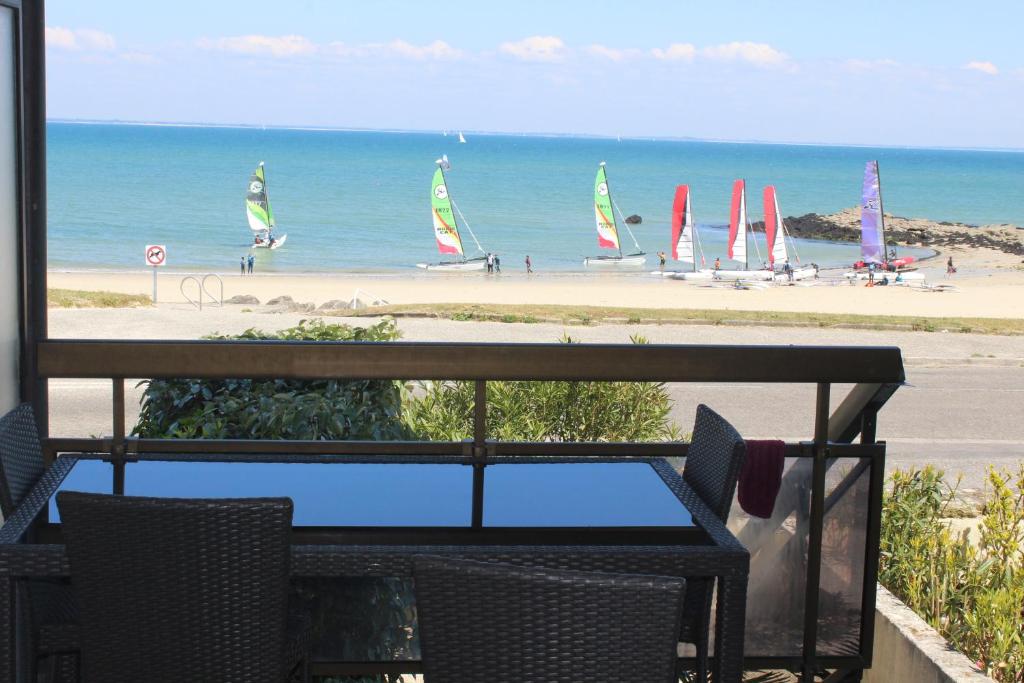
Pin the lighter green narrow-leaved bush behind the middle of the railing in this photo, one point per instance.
(545, 411)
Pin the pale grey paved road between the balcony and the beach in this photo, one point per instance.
(961, 411)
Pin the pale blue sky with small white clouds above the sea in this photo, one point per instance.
(894, 73)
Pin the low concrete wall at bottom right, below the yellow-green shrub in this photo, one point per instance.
(909, 651)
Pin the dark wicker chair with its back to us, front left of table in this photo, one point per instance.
(176, 590)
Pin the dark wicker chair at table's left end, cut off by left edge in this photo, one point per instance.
(51, 607)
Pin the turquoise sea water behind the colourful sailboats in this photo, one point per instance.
(359, 201)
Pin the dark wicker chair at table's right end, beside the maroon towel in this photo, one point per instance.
(714, 460)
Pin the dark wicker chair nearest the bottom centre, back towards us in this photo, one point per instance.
(502, 624)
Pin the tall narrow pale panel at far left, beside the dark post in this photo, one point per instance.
(10, 252)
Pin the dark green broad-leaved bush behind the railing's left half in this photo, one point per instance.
(279, 409)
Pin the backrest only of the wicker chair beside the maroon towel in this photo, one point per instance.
(714, 460)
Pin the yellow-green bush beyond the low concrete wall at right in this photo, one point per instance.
(973, 595)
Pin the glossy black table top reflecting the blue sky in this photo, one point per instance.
(516, 495)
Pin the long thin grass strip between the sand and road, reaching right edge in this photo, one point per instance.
(611, 315)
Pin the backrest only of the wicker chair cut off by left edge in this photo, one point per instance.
(21, 457)
